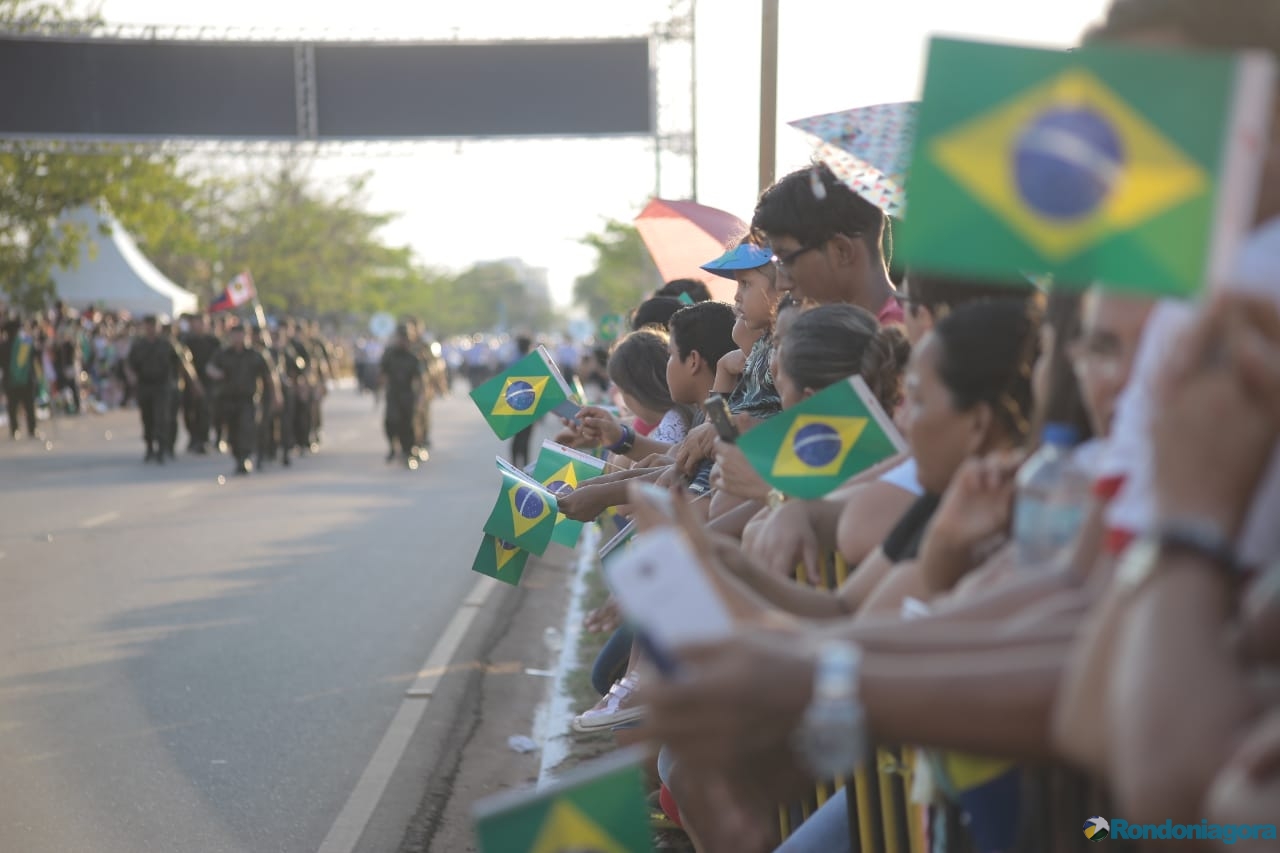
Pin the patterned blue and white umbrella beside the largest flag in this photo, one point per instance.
(868, 149)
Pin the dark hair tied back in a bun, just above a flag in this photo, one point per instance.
(834, 343)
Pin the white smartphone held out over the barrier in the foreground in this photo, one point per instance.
(666, 596)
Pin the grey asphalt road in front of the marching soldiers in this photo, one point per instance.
(194, 667)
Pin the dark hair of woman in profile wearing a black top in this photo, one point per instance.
(988, 354)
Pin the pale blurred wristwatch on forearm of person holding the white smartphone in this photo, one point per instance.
(833, 737)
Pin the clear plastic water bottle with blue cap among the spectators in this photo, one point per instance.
(1053, 499)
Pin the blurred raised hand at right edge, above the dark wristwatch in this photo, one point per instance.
(1218, 414)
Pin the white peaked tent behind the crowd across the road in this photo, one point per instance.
(115, 273)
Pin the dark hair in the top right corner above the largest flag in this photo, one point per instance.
(1223, 25)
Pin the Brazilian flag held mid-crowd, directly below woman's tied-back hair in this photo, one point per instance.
(813, 448)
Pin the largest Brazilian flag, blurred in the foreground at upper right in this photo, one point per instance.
(1136, 168)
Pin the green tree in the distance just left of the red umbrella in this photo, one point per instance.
(624, 272)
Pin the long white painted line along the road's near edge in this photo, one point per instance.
(345, 834)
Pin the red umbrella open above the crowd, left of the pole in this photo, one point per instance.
(682, 236)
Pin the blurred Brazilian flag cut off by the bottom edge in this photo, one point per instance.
(597, 809)
